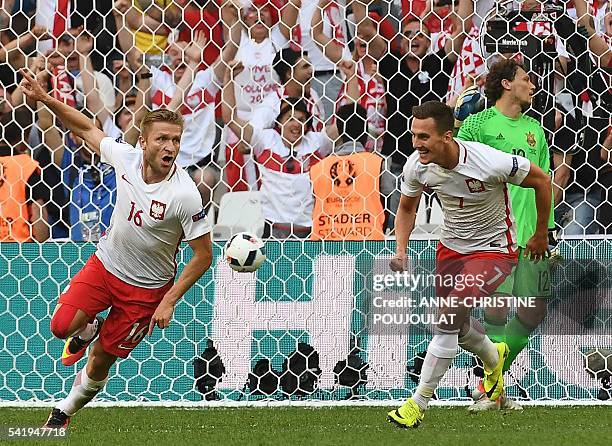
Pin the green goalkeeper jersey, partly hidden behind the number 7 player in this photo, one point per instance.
(524, 137)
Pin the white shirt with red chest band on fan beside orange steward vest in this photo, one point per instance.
(285, 180)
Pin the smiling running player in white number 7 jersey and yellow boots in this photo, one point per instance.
(478, 240)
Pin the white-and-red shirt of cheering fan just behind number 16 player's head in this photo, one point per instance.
(198, 112)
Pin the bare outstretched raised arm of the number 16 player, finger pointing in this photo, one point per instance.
(72, 119)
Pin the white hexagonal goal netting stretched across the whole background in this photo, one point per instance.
(256, 151)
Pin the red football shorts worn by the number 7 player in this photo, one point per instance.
(476, 274)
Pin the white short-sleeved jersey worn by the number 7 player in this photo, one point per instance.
(474, 197)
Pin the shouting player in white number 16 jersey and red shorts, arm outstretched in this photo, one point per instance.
(133, 270)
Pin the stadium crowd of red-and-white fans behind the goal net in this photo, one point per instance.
(308, 101)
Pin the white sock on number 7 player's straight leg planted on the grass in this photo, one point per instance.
(440, 355)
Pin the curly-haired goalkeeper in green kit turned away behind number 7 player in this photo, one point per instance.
(505, 127)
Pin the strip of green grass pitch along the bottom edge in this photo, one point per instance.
(352, 426)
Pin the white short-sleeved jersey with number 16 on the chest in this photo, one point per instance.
(149, 221)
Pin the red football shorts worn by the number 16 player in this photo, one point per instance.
(94, 289)
